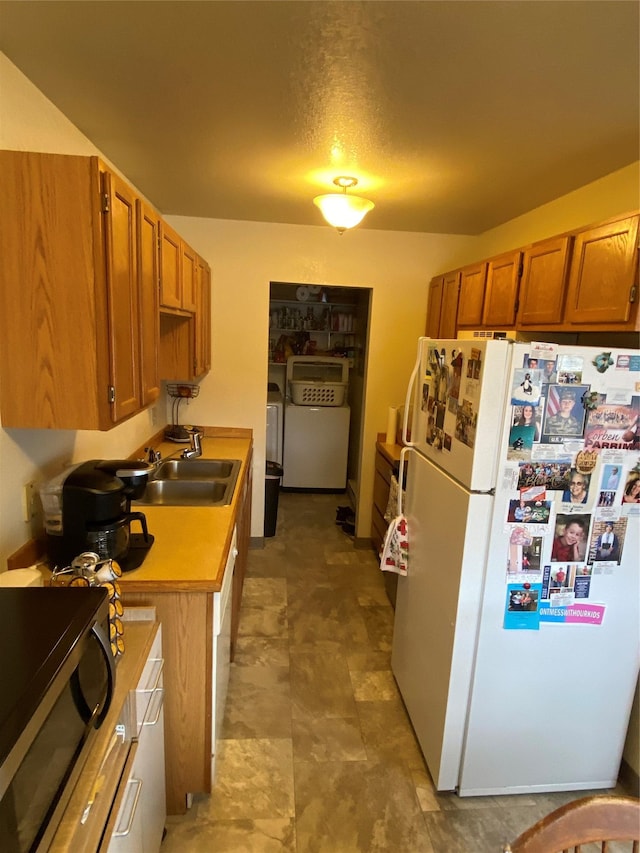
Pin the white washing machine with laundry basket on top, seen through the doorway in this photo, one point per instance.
(316, 423)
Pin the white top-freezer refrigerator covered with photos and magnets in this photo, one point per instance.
(516, 639)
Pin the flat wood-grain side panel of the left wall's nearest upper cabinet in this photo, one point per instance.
(49, 237)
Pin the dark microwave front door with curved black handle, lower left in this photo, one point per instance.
(37, 778)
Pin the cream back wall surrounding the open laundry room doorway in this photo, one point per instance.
(246, 256)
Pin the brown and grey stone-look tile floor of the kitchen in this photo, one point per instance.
(318, 755)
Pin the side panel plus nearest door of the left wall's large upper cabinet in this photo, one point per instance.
(70, 314)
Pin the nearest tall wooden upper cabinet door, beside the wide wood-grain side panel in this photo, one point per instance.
(122, 301)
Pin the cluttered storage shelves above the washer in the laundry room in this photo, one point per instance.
(315, 328)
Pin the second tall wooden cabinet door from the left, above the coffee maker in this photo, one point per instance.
(148, 224)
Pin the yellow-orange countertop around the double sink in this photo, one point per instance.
(191, 543)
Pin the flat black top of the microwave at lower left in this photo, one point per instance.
(39, 626)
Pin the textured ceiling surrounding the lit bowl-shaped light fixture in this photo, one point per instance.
(455, 116)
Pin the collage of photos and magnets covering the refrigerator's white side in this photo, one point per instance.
(573, 476)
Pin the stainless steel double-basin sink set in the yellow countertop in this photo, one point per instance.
(192, 482)
